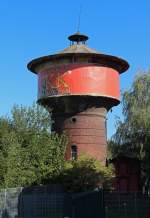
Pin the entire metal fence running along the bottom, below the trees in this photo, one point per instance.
(52, 202)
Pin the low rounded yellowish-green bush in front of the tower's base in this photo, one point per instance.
(85, 174)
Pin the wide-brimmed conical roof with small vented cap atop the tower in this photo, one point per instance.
(78, 48)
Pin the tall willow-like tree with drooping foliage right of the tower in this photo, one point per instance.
(133, 133)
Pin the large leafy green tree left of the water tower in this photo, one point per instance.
(29, 152)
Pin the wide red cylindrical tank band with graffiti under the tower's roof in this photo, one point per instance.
(79, 79)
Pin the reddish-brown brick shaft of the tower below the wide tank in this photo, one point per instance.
(85, 130)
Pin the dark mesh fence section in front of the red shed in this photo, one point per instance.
(126, 205)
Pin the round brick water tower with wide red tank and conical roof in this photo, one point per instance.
(80, 85)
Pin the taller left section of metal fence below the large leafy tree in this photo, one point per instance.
(32, 202)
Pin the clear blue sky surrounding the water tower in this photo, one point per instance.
(33, 28)
